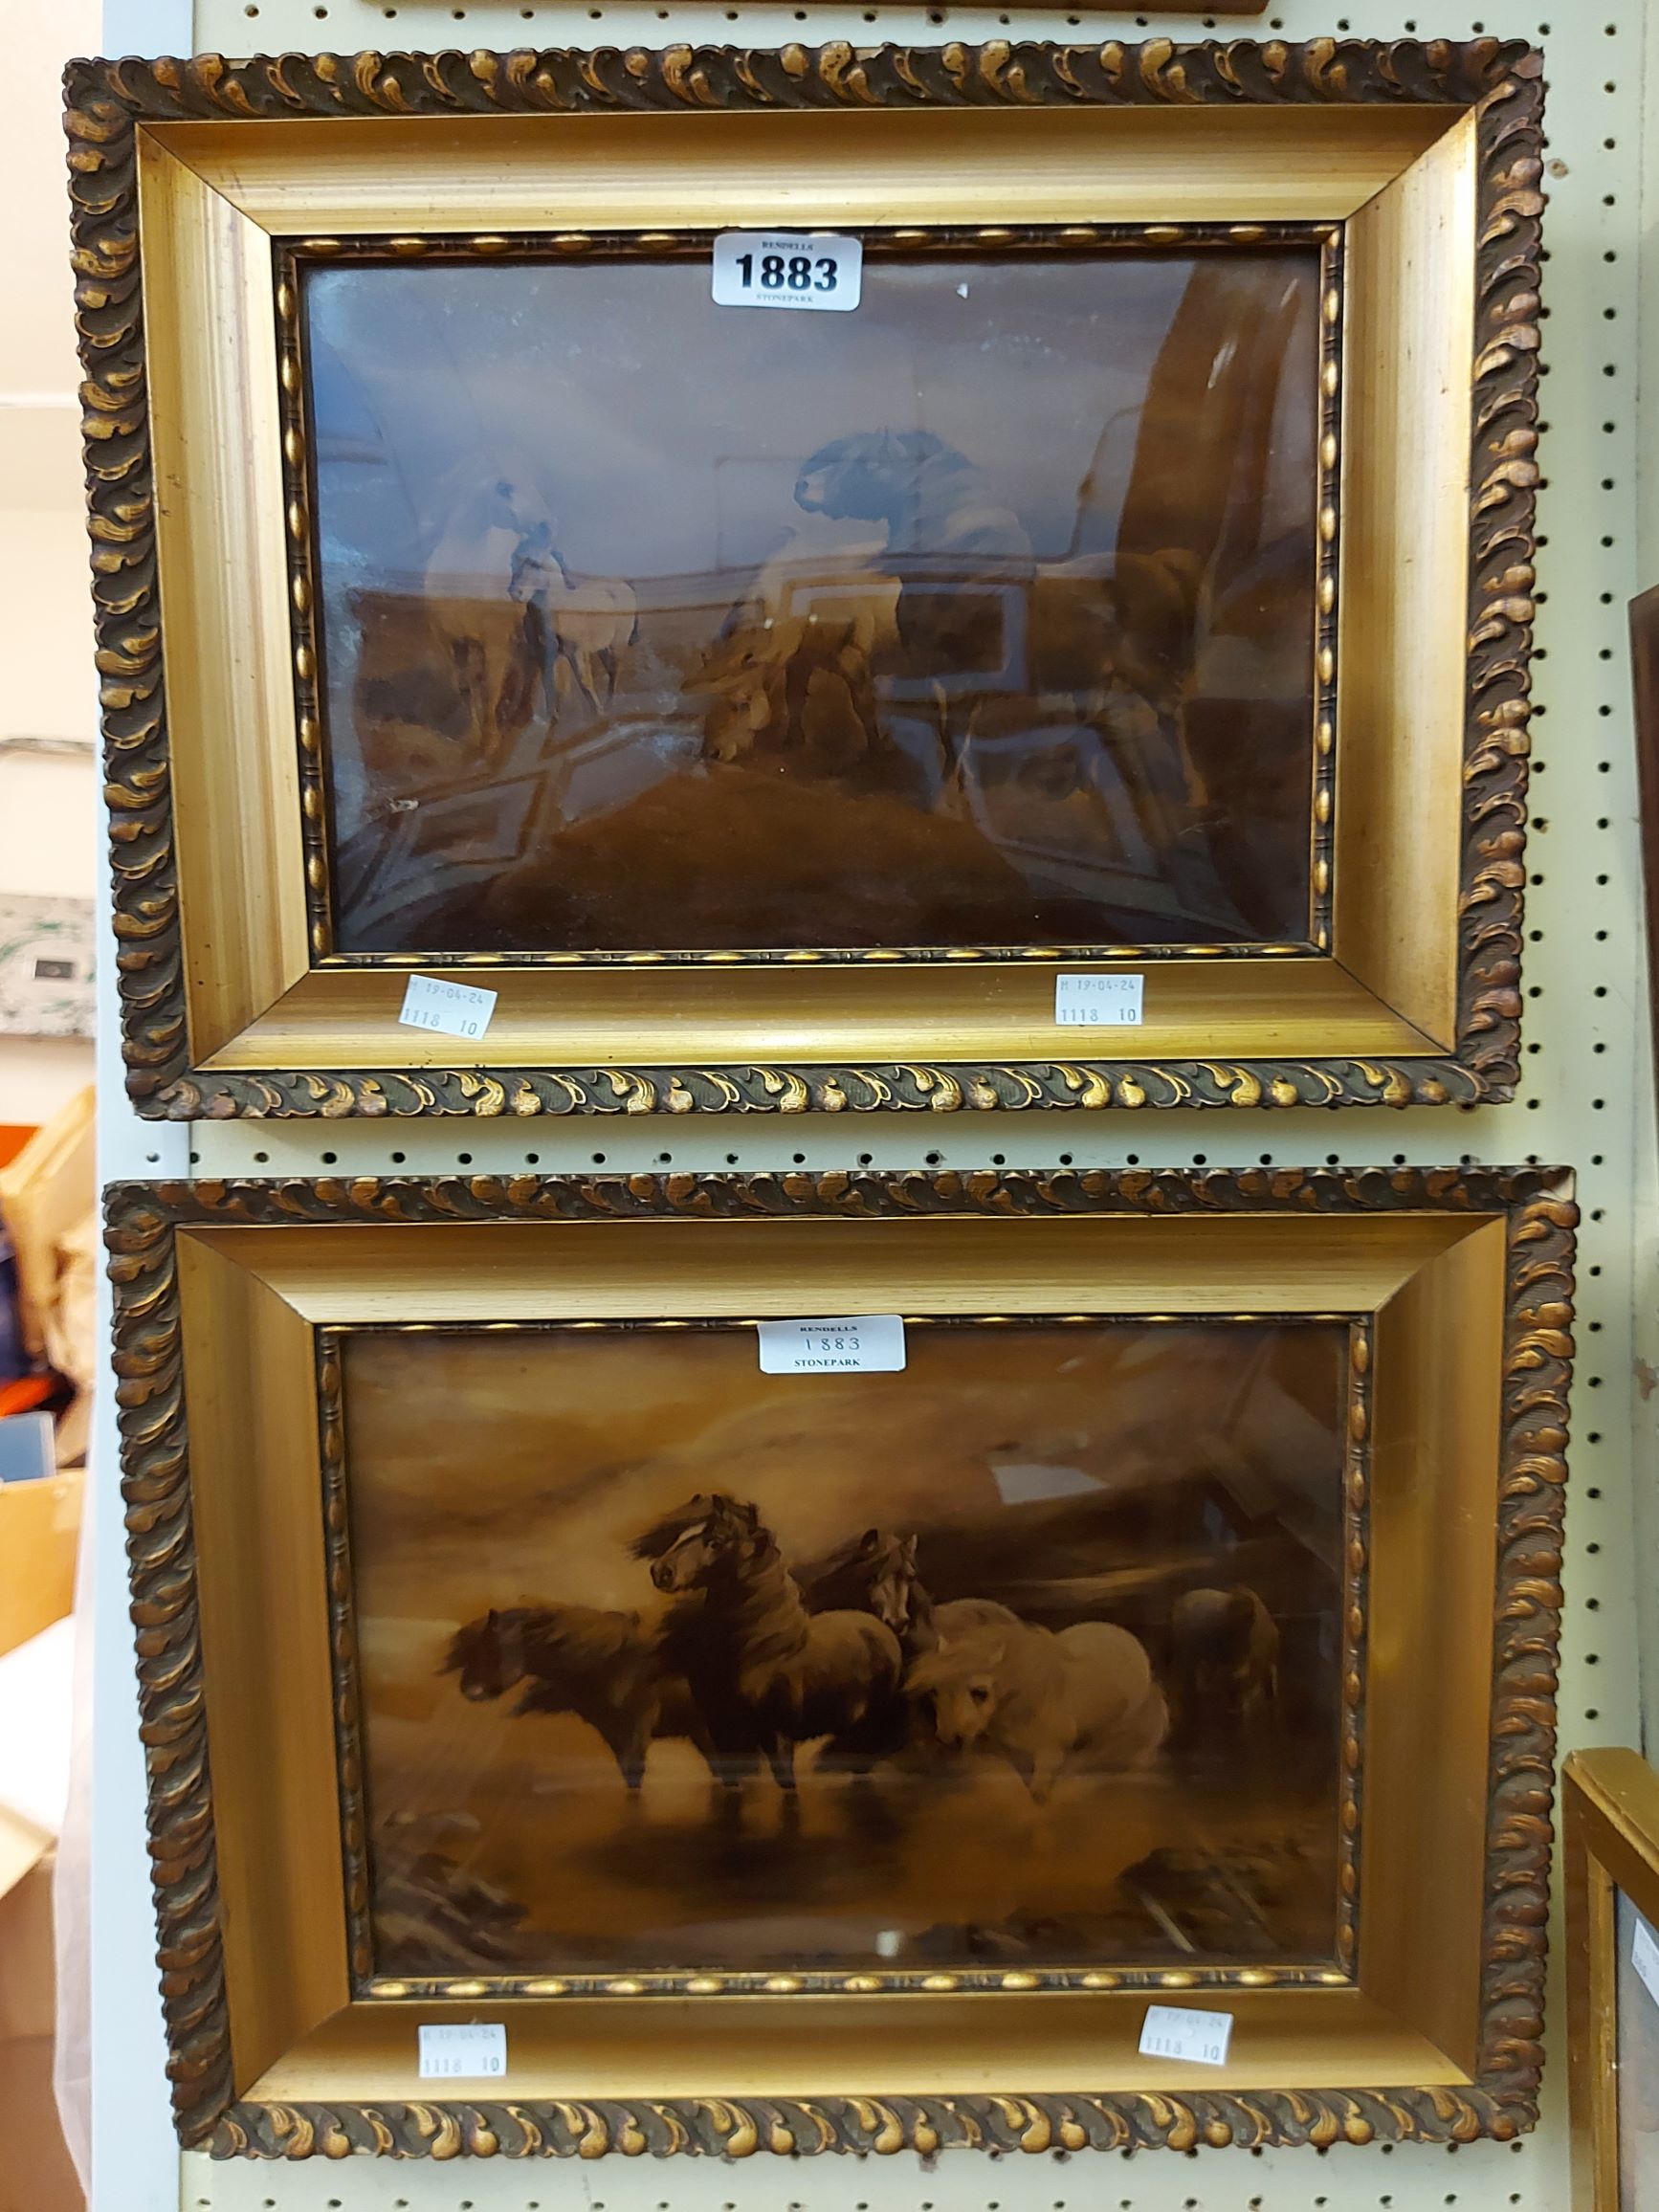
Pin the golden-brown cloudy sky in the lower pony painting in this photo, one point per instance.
(499, 1468)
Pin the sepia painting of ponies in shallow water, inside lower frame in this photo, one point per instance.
(676, 1667)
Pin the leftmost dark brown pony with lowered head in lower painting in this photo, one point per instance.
(601, 1667)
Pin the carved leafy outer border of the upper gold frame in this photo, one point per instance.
(1494, 79)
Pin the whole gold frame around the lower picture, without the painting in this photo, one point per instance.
(220, 1295)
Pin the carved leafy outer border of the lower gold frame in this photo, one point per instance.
(1503, 2100)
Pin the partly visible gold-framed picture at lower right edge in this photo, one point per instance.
(1611, 1850)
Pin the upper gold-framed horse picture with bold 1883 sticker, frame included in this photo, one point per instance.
(1103, 623)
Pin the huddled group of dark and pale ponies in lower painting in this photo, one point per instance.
(747, 1665)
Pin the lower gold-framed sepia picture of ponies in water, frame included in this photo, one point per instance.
(773, 1733)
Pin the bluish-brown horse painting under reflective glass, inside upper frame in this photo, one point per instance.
(981, 616)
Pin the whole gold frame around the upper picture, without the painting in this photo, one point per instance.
(1428, 154)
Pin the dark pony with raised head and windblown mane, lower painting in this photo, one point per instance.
(762, 1671)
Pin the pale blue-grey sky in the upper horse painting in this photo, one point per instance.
(662, 435)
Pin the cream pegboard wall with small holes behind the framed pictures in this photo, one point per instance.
(1585, 1100)
